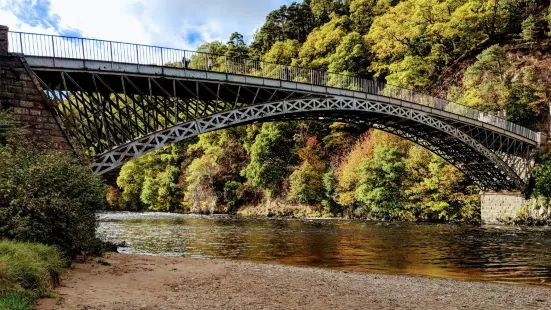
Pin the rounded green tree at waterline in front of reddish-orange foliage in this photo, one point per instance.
(380, 188)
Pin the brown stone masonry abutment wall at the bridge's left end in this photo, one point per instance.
(30, 110)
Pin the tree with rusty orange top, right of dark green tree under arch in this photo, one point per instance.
(306, 183)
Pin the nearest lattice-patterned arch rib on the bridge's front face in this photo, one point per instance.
(116, 157)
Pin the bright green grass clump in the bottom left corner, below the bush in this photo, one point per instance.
(27, 272)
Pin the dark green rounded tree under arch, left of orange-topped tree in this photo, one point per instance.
(270, 156)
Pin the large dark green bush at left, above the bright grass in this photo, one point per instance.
(46, 198)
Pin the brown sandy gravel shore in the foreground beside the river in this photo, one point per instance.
(145, 282)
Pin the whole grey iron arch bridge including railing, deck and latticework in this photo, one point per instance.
(118, 101)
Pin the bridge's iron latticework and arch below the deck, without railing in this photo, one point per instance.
(116, 118)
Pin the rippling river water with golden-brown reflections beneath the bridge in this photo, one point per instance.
(493, 253)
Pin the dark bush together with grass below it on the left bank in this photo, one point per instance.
(48, 208)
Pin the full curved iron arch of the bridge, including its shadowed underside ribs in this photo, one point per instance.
(408, 123)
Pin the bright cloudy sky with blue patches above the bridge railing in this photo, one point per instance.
(169, 23)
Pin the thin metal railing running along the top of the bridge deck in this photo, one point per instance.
(118, 52)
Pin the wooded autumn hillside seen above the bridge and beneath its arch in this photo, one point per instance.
(487, 54)
